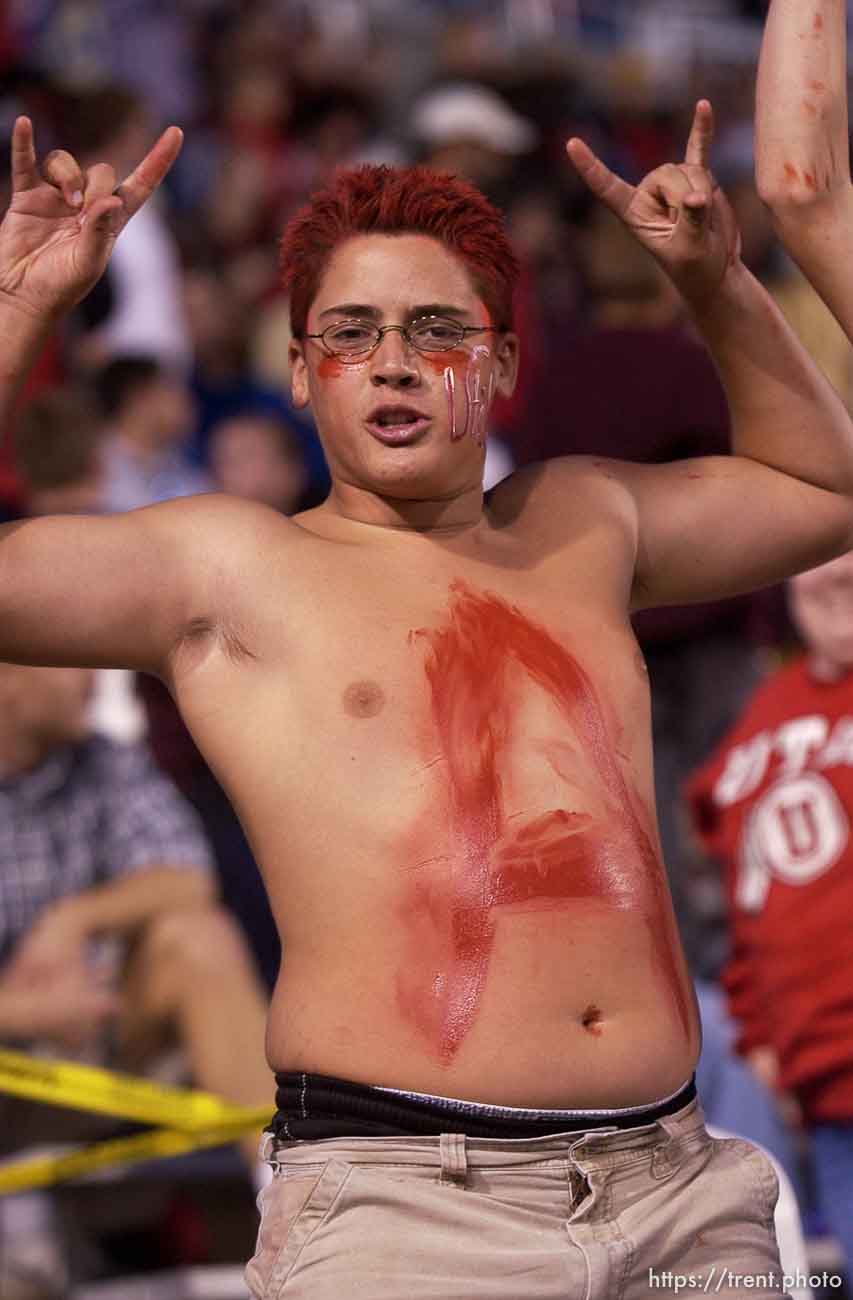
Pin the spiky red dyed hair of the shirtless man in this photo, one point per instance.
(400, 201)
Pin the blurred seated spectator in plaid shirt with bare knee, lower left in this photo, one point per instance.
(109, 917)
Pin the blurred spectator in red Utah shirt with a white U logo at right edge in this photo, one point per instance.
(774, 807)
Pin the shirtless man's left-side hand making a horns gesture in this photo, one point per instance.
(62, 224)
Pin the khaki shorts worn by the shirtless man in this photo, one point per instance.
(587, 1216)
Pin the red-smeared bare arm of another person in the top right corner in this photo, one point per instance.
(803, 167)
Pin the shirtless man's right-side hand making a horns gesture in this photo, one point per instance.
(678, 213)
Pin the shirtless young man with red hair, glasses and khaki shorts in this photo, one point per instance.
(430, 712)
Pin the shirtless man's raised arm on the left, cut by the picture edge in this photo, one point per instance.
(76, 591)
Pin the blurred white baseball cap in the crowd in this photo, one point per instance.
(465, 111)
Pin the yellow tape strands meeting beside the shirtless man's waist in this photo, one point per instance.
(190, 1119)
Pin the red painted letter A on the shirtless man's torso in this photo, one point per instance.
(499, 860)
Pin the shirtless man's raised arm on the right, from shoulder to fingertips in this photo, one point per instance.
(783, 502)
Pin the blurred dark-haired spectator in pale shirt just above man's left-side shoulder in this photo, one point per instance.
(149, 415)
